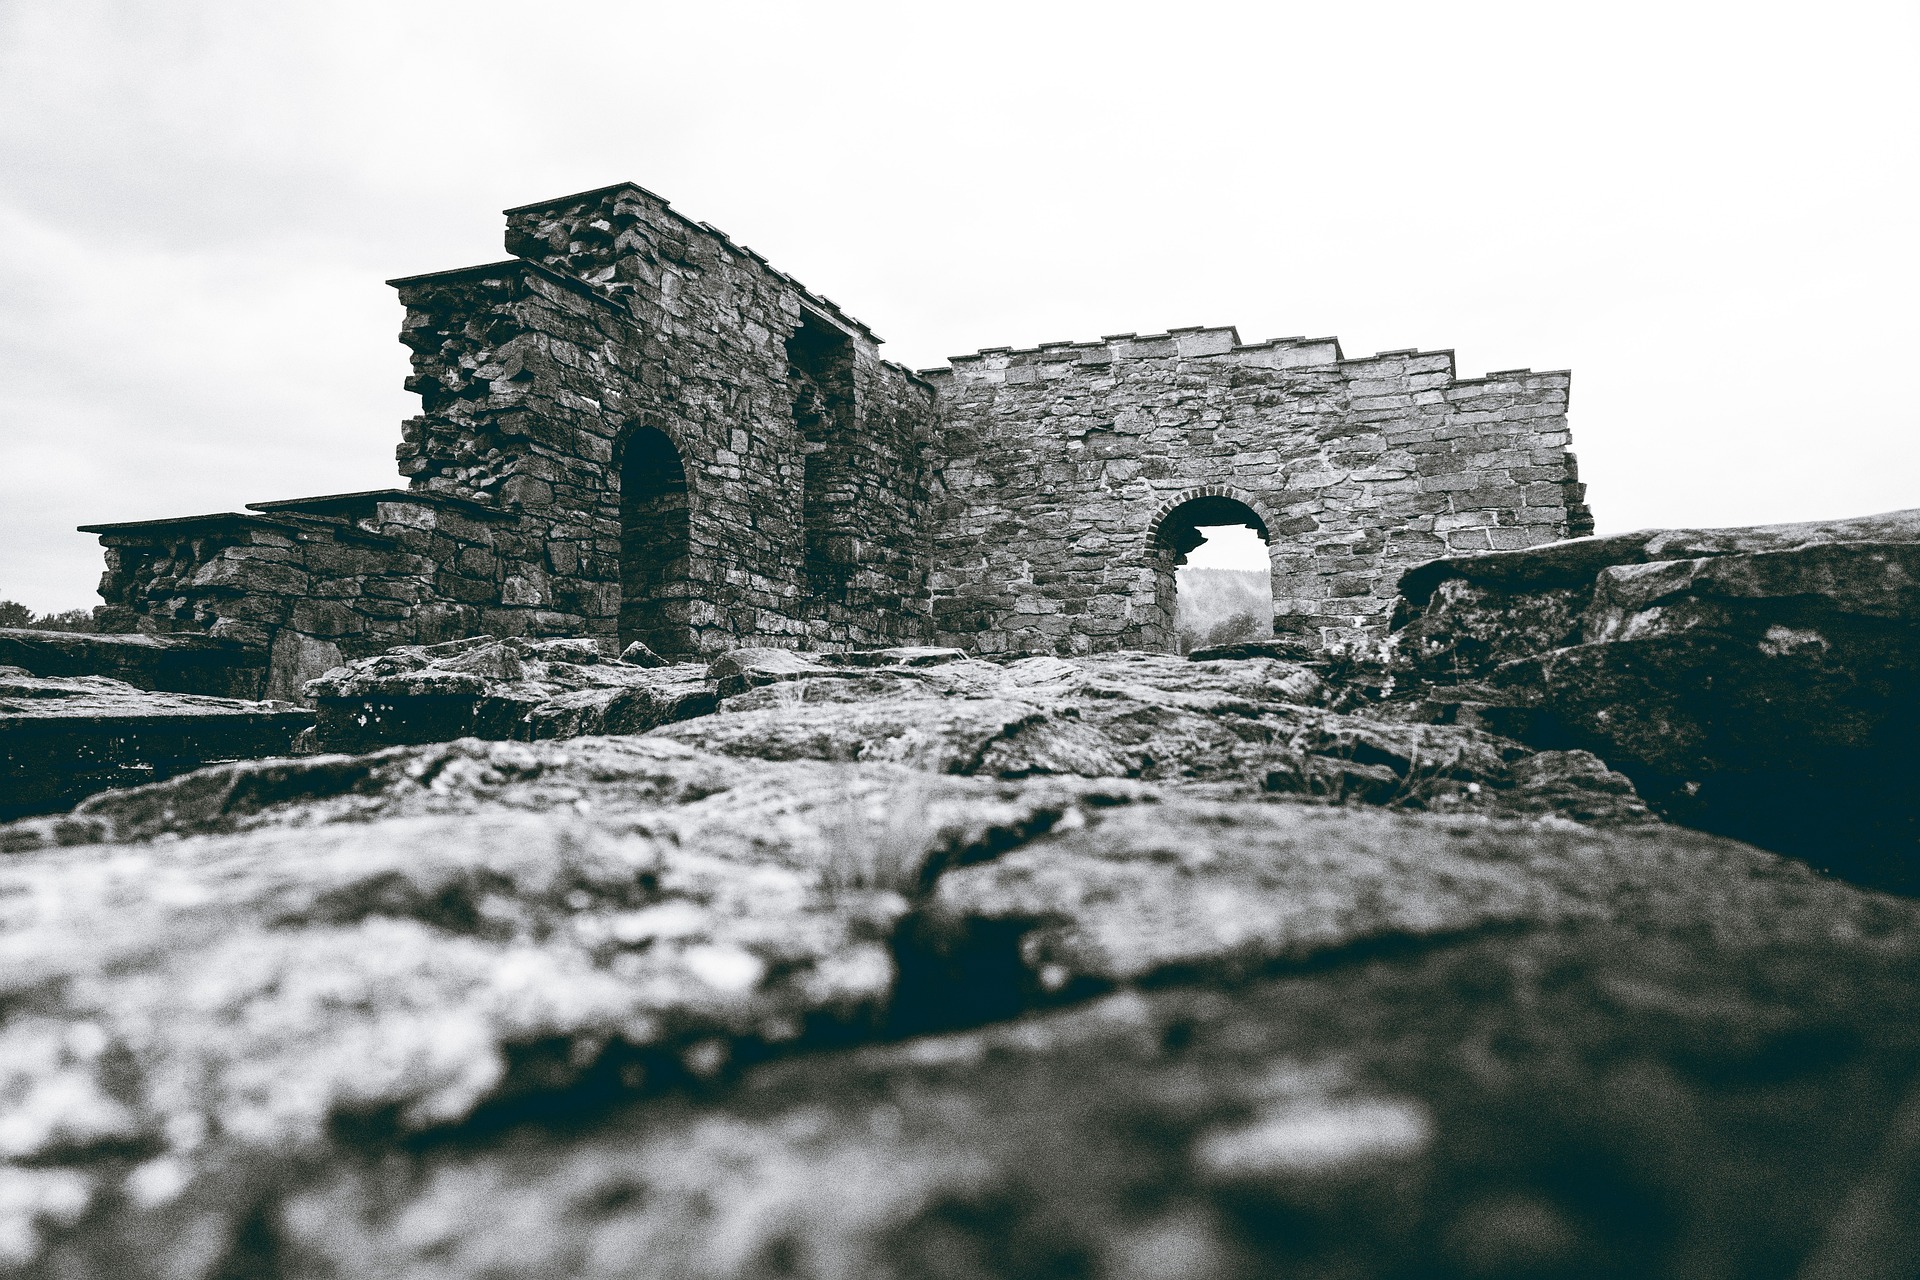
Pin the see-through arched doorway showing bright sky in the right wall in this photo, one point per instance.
(1212, 571)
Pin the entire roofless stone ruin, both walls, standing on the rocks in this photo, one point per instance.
(640, 431)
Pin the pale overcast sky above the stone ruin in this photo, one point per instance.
(1706, 212)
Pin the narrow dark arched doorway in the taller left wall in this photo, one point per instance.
(654, 546)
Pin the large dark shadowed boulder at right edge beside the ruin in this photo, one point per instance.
(1760, 682)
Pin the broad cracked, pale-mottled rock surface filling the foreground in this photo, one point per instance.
(909, 964)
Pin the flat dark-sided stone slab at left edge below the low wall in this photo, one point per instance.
(66, 738)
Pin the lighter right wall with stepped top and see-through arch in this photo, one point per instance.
(1072, 475)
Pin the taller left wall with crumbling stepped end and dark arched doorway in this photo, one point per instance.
(621, 321)
